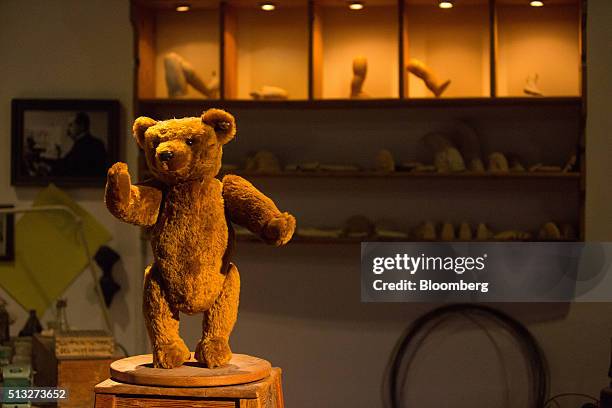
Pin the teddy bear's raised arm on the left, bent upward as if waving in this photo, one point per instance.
(136, 204)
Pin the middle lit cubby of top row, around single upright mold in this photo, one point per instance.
(340, 34)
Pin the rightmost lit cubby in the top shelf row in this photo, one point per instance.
(538, 47)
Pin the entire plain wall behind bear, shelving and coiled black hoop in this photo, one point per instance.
(300, 305)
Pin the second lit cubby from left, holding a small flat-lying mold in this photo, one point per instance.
(265, 49)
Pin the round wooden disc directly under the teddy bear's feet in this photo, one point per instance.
(139, 370)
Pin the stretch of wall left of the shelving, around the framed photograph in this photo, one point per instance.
(73, 49)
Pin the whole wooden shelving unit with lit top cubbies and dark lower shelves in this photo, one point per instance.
(307, 46)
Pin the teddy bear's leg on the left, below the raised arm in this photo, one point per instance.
(162, 321)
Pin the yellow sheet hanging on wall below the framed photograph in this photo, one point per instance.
(49, 254)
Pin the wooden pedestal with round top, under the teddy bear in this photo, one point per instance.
(135, 383)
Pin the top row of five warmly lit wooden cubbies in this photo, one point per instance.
(485, 47)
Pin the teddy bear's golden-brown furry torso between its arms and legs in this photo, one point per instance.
(189, 242)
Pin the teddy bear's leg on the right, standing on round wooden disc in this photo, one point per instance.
(213, 349)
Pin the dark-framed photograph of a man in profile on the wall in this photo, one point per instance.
(61, 141)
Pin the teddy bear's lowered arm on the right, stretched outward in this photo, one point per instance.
(250, 208)
